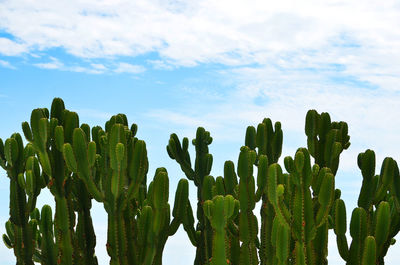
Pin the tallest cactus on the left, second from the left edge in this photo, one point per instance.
(49, 132)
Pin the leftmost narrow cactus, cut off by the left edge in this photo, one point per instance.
(25, 185)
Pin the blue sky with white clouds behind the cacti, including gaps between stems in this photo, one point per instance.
(172, 66)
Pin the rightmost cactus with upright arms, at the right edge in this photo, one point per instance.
(376, 220)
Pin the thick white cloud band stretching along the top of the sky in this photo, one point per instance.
(191, 32)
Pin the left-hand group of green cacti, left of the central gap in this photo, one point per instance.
(79, 164)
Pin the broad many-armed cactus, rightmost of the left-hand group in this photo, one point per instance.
(113, 167)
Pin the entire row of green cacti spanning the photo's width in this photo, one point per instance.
(110, 165)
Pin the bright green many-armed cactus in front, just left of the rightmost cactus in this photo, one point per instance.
(308, 212)
